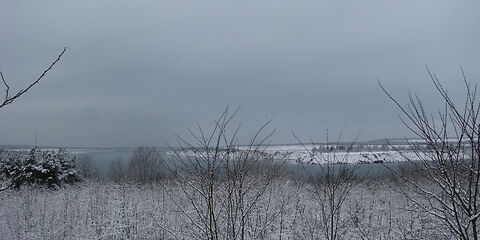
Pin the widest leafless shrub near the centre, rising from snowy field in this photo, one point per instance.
(223, 181)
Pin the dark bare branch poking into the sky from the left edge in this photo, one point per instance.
(9, 97)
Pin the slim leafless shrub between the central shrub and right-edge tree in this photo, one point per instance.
(331, 186)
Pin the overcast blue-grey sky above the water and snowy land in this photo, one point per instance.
(135, 72)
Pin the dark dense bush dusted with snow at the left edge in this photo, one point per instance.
(47, 168)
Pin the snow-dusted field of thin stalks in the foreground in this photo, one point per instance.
(288, 210)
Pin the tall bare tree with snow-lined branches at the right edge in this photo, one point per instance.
(446, 161)
